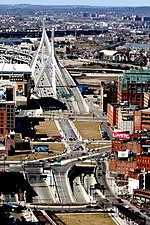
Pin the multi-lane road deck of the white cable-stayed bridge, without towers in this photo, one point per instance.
(64, 86)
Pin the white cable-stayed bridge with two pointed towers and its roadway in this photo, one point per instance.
(52, 79)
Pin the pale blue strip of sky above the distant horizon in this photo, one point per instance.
(81, 2)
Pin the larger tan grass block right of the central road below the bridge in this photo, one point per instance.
(89, 129)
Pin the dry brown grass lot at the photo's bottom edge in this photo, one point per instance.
(86, 219)
